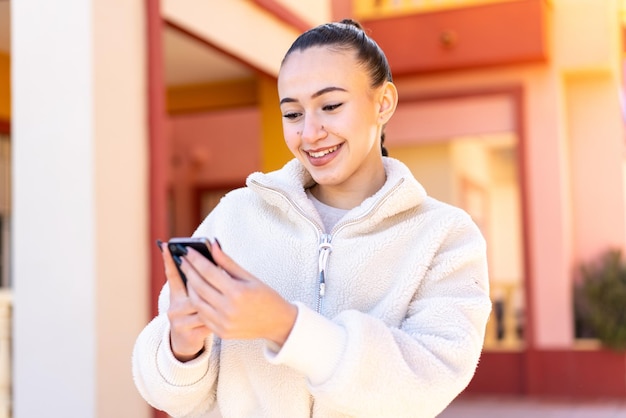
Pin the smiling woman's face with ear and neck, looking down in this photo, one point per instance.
(332, 117)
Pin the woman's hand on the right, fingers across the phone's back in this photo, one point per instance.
(232, 302)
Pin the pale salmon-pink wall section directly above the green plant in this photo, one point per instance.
(596, 156)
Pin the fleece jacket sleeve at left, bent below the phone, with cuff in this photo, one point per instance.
(183, 390)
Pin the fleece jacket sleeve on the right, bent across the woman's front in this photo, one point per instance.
(364, 368)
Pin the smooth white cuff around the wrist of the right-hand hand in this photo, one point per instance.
(313, 347)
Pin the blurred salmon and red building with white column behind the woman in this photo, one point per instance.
(125, 121)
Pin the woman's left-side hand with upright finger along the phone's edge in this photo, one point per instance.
(187, 331)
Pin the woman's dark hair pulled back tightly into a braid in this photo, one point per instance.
(346, 35)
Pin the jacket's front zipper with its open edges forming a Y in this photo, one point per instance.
(325, 240)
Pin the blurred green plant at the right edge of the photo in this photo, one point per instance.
(600, 300)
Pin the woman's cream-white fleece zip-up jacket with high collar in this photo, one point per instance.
(400, 326)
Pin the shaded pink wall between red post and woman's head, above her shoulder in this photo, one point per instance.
(212, 150)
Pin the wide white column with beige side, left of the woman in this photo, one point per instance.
(80, 250)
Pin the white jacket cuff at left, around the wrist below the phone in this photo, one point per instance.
(177, 373)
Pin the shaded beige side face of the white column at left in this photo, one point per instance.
(120, 152)
